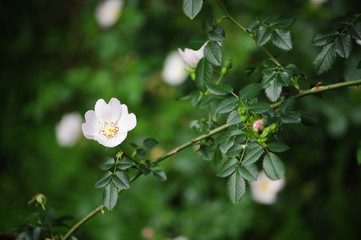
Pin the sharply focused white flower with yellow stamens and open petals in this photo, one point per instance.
(109, 123)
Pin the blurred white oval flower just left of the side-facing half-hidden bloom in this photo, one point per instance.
(174, 69)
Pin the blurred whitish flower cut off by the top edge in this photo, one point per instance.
(108, 12)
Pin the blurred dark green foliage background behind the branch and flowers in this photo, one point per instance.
(56, 59)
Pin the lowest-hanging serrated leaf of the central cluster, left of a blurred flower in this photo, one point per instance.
(236, 187)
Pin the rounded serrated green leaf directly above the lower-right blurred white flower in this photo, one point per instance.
(273, 166)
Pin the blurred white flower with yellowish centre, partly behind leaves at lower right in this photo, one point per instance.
(264, 190)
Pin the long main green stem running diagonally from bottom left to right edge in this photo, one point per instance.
(210, 133)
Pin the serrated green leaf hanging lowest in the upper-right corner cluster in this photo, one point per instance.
(325, 58)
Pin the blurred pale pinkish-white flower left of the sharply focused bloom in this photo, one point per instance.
(68, 129)
